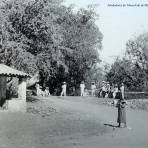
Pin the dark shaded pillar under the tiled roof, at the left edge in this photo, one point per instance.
(3, 85)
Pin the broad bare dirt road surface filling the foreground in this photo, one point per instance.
(72, 122)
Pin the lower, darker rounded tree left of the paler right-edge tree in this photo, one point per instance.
(123, 71)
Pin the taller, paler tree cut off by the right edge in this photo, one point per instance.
(137, 52)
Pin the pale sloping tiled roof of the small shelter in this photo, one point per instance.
(8, 71)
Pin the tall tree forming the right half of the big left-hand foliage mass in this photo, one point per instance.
(84, 39)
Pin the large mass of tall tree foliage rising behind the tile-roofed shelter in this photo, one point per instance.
(45, 36)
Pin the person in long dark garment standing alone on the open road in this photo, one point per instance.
(121, 105)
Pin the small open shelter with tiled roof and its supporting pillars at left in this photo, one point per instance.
(6, 71)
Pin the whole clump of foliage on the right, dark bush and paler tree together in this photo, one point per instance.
(133, 68)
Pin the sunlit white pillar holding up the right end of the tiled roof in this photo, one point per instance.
(22, 88)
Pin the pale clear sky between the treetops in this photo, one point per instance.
(118, 24)
